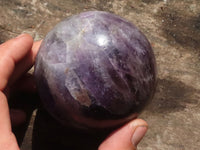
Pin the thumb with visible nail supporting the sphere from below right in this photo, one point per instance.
(127, 137)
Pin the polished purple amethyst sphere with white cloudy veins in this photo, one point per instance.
(95, 70)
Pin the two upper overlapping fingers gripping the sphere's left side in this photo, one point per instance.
(17, 57)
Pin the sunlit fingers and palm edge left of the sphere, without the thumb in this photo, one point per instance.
(16, 58)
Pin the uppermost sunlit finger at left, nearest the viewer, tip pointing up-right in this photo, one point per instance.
(12, 52)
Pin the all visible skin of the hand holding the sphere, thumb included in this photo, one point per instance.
(17, 56)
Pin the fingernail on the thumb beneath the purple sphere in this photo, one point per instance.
(138, 135)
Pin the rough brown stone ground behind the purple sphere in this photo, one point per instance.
(172, 27)
